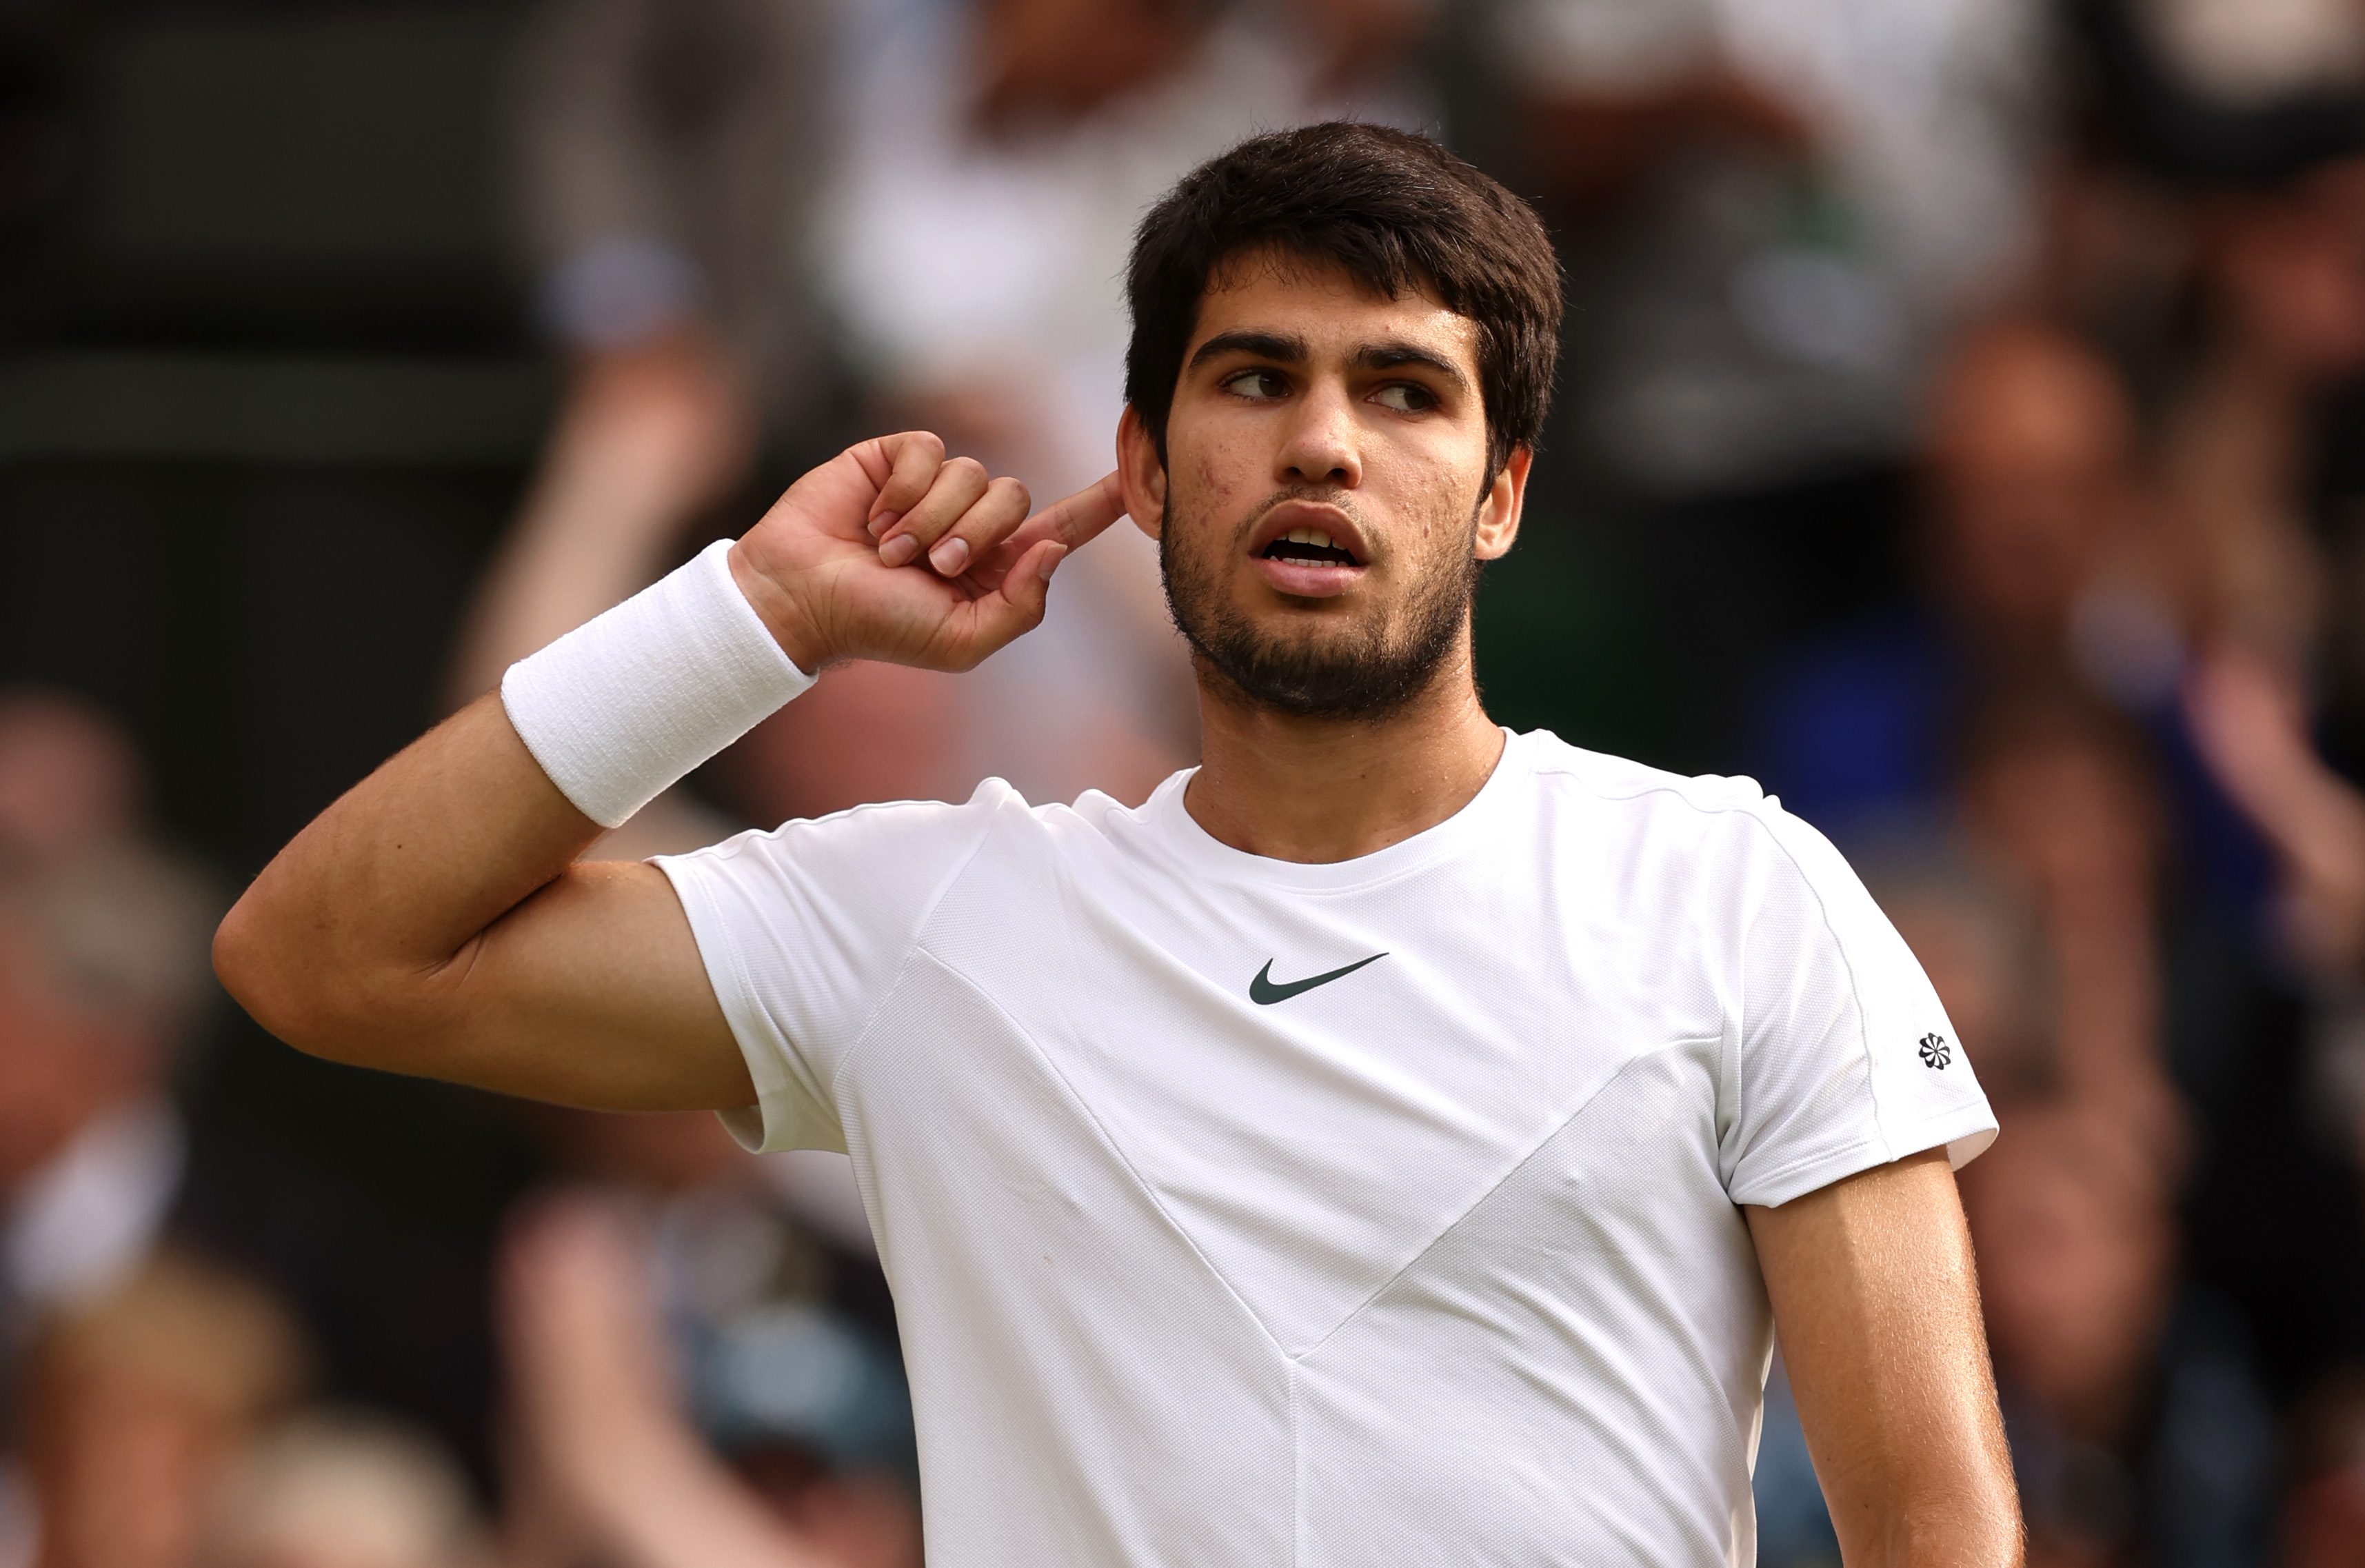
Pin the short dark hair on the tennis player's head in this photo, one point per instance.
(1399, 214)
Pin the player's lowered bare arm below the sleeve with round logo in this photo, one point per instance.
(1879, 1316)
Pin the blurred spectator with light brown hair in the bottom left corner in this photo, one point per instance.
(138, 1406)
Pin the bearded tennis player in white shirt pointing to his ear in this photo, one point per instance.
(1399, 1141)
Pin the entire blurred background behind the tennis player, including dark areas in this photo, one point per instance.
(1962, 432)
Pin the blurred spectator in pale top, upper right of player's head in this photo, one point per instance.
(1822, 195)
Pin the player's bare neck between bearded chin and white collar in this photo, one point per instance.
(1318, 791)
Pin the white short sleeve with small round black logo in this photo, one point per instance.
(1846, 1056)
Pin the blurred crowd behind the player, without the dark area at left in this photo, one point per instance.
(1962, 432)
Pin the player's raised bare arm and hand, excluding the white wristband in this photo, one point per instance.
(434, 921)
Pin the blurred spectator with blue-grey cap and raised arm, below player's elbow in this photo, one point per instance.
(609, 1463)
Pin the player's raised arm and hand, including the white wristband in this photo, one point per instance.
(436, 919)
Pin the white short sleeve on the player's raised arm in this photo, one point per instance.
(803, 933)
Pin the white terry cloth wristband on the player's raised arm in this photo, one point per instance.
(628, 704)
